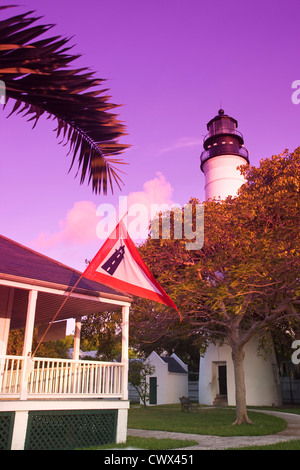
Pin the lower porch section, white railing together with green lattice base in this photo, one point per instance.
(61, 404)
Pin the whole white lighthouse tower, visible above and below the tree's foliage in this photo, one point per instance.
(223, 152)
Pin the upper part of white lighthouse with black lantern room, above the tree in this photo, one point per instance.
(223, 152)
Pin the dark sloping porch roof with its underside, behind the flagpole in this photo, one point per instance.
(25, 269)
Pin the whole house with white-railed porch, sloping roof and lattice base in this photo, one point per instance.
(48, 403)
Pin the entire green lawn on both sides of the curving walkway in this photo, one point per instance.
(213, 421)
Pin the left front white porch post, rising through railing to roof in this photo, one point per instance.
(27, 346)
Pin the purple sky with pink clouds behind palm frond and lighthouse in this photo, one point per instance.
(169, 63)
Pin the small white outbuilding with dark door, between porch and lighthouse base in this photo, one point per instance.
(169, 381)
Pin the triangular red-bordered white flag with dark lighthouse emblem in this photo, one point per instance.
(119, 265)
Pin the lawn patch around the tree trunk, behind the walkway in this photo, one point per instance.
(213, 421)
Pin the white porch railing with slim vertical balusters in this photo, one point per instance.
(23, 378)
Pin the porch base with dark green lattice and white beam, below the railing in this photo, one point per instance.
(61, 424)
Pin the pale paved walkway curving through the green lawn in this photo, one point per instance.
(291, 432)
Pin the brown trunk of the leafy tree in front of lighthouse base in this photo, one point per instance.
(240, 389)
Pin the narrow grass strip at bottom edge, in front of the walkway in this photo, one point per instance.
(148, 444)
